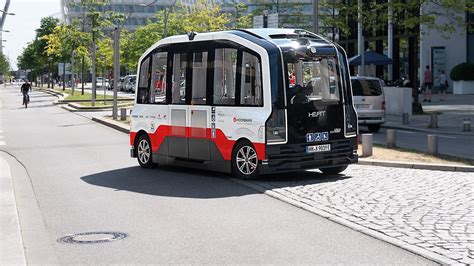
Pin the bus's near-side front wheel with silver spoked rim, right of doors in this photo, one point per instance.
(244, 161)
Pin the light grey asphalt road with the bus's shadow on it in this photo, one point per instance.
(72, 175)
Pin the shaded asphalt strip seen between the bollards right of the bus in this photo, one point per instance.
(455, 145)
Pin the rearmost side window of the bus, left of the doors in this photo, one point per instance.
(158, 70)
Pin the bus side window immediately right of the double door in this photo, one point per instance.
(225, 65)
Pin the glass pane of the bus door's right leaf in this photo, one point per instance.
(199, 78)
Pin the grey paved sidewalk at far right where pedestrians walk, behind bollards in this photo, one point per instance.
(452, 112)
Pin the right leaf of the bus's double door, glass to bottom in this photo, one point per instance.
(199, 113)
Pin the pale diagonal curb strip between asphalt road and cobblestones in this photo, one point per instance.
(356, 227)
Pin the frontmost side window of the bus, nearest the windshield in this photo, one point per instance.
(251, 84)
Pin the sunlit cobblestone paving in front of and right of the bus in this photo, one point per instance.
(433, 210)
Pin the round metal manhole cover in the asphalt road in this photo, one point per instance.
(92, 237)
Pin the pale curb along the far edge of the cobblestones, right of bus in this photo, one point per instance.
(422, 166)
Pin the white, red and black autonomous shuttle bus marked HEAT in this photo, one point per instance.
(249, 102)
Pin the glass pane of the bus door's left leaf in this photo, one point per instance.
(178, 86)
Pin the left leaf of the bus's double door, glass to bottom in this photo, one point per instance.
(178, 110)
